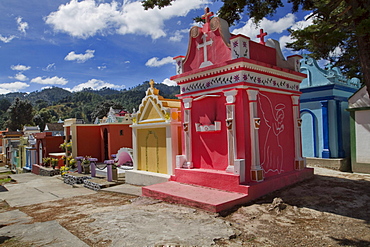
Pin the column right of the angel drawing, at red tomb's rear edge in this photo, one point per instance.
(299, 162)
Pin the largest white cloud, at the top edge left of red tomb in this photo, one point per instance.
(87, 18)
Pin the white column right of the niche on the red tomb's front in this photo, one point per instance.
(230, 124)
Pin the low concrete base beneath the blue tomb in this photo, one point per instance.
(341, 164)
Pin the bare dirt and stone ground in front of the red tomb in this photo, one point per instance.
(329, 210)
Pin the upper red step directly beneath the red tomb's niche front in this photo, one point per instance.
(221, 180)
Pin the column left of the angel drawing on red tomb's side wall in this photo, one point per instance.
(256, 169)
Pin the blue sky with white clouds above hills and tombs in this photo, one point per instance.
(76, 44)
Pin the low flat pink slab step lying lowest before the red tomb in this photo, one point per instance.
(196, 196)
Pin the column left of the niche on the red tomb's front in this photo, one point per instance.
(187, 132)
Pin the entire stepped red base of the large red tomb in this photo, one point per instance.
(211, 197)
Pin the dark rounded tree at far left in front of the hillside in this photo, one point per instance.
(20, 114)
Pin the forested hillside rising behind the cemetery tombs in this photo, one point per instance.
(52, 104)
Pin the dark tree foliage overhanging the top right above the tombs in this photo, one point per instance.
(337, 23)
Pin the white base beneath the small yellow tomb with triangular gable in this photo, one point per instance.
(144, 178)
